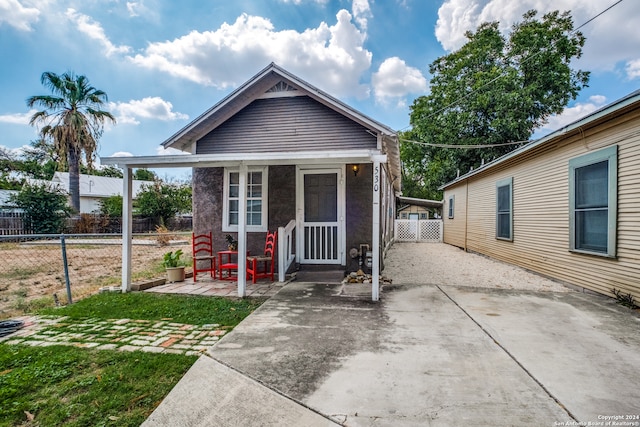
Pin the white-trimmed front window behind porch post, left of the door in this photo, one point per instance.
(256, 199)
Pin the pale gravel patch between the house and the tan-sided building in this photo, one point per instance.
(442, 264)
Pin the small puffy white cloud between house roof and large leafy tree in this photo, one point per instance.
(395, 79)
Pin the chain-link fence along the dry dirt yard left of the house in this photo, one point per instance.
(33, 273)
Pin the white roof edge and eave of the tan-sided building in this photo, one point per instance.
(608, 112)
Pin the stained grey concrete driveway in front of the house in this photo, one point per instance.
(425, 355)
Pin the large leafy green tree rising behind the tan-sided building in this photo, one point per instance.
(496, 89)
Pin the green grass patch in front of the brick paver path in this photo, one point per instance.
(62, 385)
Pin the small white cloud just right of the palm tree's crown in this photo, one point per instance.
(146, 108)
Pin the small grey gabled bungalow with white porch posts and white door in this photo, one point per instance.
(280, 154)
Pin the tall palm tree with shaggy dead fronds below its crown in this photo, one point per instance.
(72, 118)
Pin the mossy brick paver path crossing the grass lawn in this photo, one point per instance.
(120, 334)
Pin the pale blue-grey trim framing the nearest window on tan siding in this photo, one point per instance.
(611, 155)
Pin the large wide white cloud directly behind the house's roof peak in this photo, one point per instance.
(330, 57)
